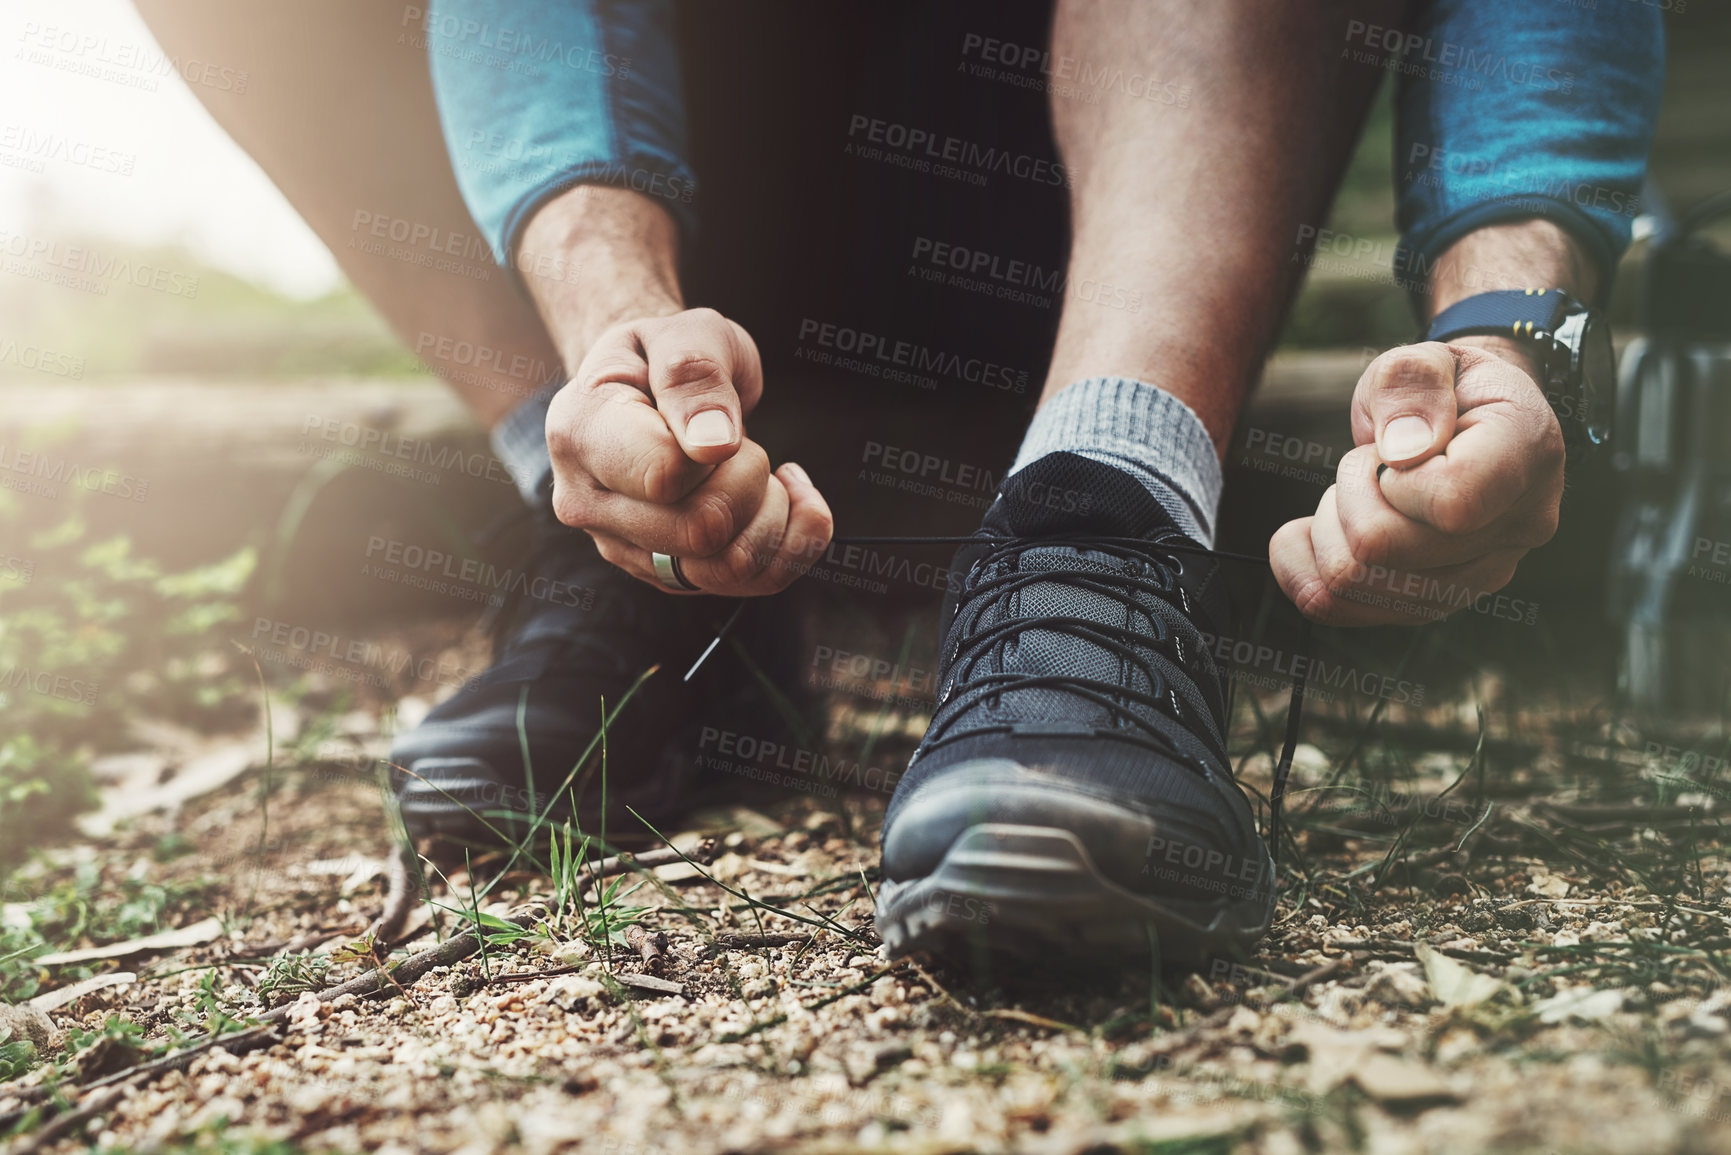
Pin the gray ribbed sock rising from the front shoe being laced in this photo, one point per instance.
(1138, 429)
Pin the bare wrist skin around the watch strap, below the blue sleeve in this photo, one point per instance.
(1528, 255)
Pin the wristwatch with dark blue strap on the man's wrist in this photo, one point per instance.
(1574, 349)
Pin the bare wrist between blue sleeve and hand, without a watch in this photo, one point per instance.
(619, 261)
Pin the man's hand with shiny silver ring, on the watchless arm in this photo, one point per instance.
(650, 455)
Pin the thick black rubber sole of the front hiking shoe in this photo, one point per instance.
(1033, 893)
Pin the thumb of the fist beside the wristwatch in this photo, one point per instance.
(1406, 404)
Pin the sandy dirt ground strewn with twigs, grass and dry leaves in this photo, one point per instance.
(1521, 946)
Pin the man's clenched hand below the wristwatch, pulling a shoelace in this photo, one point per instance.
(1458, 474)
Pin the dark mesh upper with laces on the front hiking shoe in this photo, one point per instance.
(1074, 647)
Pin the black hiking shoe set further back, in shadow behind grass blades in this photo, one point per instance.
(572, 633)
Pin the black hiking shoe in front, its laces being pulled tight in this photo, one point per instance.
(1072, 797)
